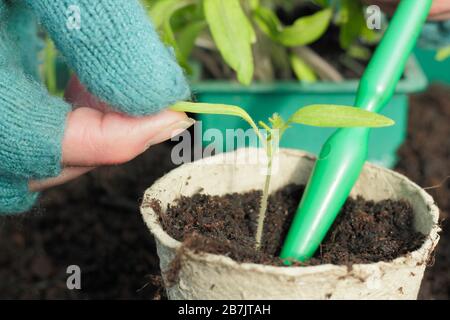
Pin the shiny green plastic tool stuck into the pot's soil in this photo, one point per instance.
(342, 157)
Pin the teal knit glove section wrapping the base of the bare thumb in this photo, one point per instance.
(32, 126)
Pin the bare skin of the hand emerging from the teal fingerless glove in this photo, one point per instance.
(97, 136)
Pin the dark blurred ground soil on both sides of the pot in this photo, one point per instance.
(95, 223)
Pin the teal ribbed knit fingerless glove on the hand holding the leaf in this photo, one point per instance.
(115, 52)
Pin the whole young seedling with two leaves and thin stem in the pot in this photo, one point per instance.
(271, 133)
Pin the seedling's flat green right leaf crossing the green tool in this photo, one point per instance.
(339, 117)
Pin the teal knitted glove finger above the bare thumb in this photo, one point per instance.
(115, 52)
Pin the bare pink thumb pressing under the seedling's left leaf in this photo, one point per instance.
(93, 138)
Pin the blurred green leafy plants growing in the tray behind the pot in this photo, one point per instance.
(245, 31)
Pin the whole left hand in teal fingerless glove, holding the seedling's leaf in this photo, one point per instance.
(118, 56)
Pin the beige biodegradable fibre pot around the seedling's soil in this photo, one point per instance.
(209, 276)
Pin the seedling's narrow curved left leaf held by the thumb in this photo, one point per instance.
(210, 108)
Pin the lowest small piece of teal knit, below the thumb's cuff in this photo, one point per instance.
(14, 196)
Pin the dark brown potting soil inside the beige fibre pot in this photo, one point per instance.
(364, 232)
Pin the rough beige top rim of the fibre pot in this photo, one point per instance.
(412, 258)
